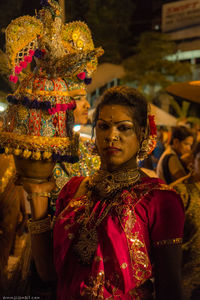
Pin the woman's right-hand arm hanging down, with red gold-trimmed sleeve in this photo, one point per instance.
(166, 223)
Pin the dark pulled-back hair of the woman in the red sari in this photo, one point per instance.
(129, 97)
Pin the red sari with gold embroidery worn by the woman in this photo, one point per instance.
(148, 215)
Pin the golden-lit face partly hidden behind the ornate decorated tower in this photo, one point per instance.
(82, 107)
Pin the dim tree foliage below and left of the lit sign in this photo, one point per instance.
(149, 67)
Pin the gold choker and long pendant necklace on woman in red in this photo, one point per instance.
(86, 245)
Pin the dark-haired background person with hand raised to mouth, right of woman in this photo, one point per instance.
(175, 160)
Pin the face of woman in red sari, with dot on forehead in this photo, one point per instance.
(116, 140)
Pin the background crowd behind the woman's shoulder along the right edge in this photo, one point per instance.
(176, 160)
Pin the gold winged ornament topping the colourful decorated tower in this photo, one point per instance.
(67, 49)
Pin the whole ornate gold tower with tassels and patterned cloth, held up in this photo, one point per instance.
(38, 122)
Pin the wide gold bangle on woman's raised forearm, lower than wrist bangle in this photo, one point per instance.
(39, 226)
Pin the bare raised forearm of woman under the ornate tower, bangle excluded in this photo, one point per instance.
(41, 243)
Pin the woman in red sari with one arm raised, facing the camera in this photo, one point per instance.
(113, 227)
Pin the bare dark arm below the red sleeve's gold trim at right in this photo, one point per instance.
(168, 272)
